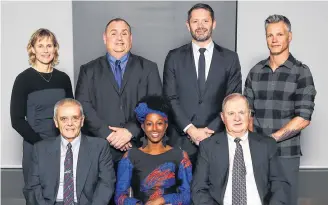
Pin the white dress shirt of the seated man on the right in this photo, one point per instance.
(253, 197)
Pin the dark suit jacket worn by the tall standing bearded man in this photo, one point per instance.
(181, 87)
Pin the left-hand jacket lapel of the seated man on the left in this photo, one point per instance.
(54, 168)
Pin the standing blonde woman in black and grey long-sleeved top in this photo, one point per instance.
(35, 92)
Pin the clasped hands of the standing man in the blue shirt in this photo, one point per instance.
(119, 137)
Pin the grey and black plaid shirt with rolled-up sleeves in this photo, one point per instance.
(277, 97)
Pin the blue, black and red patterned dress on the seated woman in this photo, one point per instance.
(166, 175)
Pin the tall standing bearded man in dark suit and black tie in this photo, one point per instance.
(196, 79)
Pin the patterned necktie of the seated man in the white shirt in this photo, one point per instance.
(239, 194)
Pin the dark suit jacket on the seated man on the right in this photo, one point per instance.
(212, 170)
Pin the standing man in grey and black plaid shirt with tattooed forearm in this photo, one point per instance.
(281, 93)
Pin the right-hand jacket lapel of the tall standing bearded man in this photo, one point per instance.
(216, 67)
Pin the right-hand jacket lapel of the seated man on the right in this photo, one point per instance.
(257, 158)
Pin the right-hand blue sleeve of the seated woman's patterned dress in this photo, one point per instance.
(185, 175)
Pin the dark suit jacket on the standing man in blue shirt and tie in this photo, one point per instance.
(105, 104)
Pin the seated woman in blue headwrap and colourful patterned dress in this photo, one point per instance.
(157, 173)
